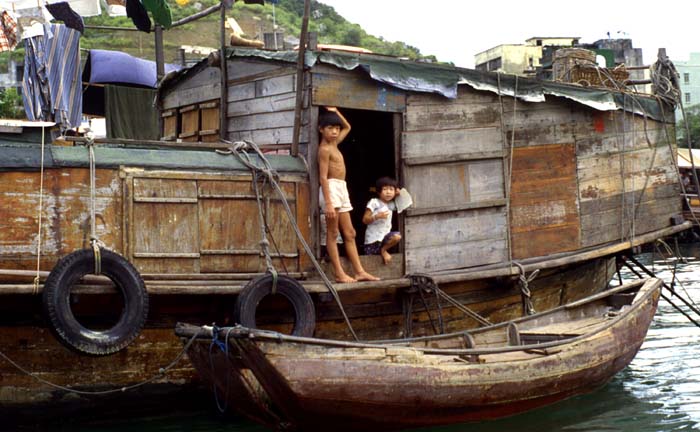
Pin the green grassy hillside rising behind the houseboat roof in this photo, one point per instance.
(254, 20)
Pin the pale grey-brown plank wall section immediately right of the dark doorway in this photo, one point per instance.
(453, 166)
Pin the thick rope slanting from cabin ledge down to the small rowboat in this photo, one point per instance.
(237, 149)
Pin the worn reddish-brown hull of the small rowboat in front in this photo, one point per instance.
(311, 387)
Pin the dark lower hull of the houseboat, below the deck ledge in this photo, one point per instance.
(374, 313)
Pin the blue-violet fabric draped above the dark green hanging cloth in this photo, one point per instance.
(103, 66)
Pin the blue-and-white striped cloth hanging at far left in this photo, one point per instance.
(52, 85)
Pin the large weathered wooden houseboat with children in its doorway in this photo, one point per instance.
(524, 194)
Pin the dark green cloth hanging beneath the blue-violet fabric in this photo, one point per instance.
(130, 114)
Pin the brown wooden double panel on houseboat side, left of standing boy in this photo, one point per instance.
(197, 222)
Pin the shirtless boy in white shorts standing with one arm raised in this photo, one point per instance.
(334, 195)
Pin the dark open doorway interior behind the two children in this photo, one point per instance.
(369, 154)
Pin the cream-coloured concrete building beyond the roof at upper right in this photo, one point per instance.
(521, 59)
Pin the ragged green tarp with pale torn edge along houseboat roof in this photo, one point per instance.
(444, 80)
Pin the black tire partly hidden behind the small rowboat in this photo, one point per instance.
(259, 288)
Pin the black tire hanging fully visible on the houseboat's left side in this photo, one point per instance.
(63, 324)
